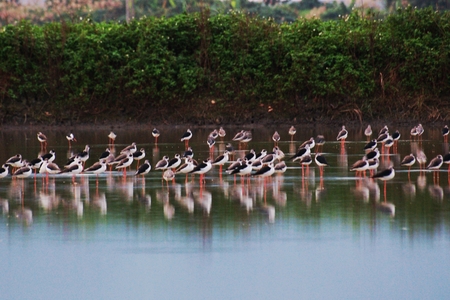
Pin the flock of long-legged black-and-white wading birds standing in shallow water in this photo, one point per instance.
(251, 163)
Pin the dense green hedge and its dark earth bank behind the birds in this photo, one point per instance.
(170, 69)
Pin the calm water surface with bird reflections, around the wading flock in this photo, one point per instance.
(292, 238)
